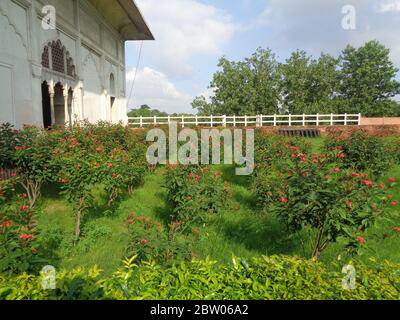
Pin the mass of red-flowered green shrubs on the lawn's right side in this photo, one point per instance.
(331, 194)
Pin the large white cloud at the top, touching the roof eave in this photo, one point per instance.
(183, 29)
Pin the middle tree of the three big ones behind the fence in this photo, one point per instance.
(308, 85)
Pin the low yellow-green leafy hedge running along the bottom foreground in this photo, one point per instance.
(264, 278)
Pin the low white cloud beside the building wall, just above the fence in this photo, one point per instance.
(156, 90)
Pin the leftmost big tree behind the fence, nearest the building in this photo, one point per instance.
(244, 87)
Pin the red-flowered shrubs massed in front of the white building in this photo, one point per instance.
(73, 161)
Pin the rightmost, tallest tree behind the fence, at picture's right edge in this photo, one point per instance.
(367, 81)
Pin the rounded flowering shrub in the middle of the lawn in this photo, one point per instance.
(194, 192)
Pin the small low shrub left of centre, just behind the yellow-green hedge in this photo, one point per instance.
(150, 241)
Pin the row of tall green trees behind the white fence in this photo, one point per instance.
(361, 80)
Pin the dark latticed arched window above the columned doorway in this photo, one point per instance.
(59, 57)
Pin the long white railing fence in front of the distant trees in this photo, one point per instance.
(250, 121)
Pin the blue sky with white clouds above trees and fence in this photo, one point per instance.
(191, 36)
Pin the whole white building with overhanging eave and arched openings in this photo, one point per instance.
(73, 71)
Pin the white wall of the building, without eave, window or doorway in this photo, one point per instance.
(95, 48)
